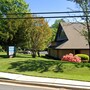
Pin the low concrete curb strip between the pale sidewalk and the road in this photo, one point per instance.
(54, 85)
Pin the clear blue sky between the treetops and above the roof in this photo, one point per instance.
(50, 6)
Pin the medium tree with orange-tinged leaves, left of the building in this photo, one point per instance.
(38, 35)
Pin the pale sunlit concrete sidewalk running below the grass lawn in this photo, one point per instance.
(46, 81)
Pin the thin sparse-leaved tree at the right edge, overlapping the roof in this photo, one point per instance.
(85, 7)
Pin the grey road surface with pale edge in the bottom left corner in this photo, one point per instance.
(12, 86)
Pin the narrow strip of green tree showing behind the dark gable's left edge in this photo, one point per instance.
(54, 28)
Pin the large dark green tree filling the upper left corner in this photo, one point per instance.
(11, 28)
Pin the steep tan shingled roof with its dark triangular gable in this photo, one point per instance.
(74, 39)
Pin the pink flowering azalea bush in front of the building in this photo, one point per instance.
(71, 58)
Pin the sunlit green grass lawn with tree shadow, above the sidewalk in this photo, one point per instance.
(44, 67)
